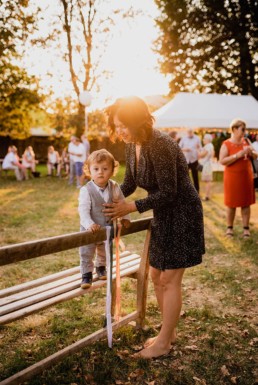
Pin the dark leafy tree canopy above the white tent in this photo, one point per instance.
(209, 46)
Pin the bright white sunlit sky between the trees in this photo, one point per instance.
(129, 57)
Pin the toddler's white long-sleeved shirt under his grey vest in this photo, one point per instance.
(85, 202)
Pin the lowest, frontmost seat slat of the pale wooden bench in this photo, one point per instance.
(57, 299)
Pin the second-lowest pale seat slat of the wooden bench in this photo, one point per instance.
(55, 291)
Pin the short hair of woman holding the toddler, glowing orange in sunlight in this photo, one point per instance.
(133, 112)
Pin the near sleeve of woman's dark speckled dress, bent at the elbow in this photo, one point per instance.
(164, 161)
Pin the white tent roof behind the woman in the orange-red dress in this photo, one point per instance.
(207, 111)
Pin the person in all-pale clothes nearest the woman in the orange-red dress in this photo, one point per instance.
(206, 154)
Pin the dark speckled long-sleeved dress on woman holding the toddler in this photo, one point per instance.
(177, 237)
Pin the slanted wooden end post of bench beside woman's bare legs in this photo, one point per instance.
(142, 282)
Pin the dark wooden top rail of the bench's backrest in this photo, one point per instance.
(27, 250)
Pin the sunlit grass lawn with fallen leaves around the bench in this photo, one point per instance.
(216, 334)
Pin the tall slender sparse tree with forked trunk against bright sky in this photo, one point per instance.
(87, 26)
